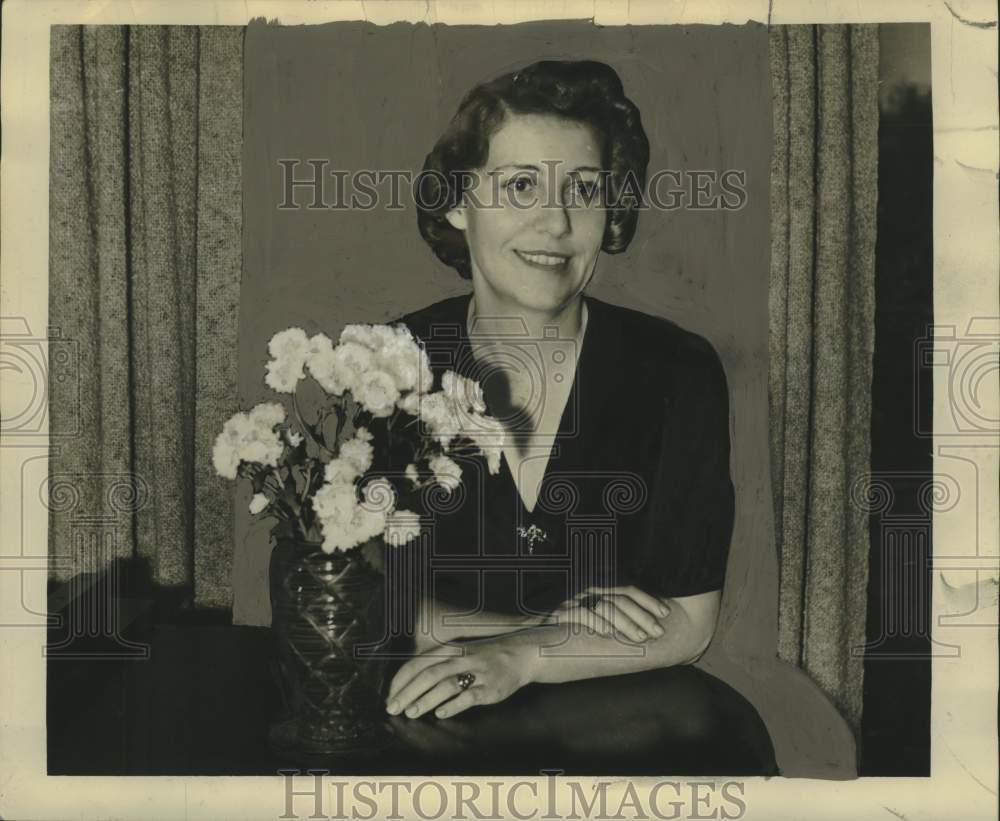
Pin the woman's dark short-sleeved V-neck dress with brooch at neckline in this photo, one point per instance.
(637, 489)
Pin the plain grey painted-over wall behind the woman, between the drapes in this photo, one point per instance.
(364, 96)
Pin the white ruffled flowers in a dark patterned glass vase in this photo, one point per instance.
(343, 487)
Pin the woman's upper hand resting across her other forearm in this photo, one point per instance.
(627, 611)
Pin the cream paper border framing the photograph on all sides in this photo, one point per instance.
(964, 754)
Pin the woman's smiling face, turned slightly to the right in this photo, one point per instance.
(533, 236)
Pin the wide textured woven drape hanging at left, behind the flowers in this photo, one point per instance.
(145, 220)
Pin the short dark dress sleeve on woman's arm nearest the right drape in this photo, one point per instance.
(686, 537)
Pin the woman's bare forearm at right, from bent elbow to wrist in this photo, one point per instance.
(566, 652)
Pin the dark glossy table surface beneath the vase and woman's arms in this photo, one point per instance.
(204, 699)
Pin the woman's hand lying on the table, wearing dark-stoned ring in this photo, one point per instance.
(430, 681)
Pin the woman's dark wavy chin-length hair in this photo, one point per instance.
(586, 92)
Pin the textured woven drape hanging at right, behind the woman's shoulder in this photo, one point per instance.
(825, 81)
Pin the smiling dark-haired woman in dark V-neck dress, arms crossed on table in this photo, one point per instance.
(600, 547)
